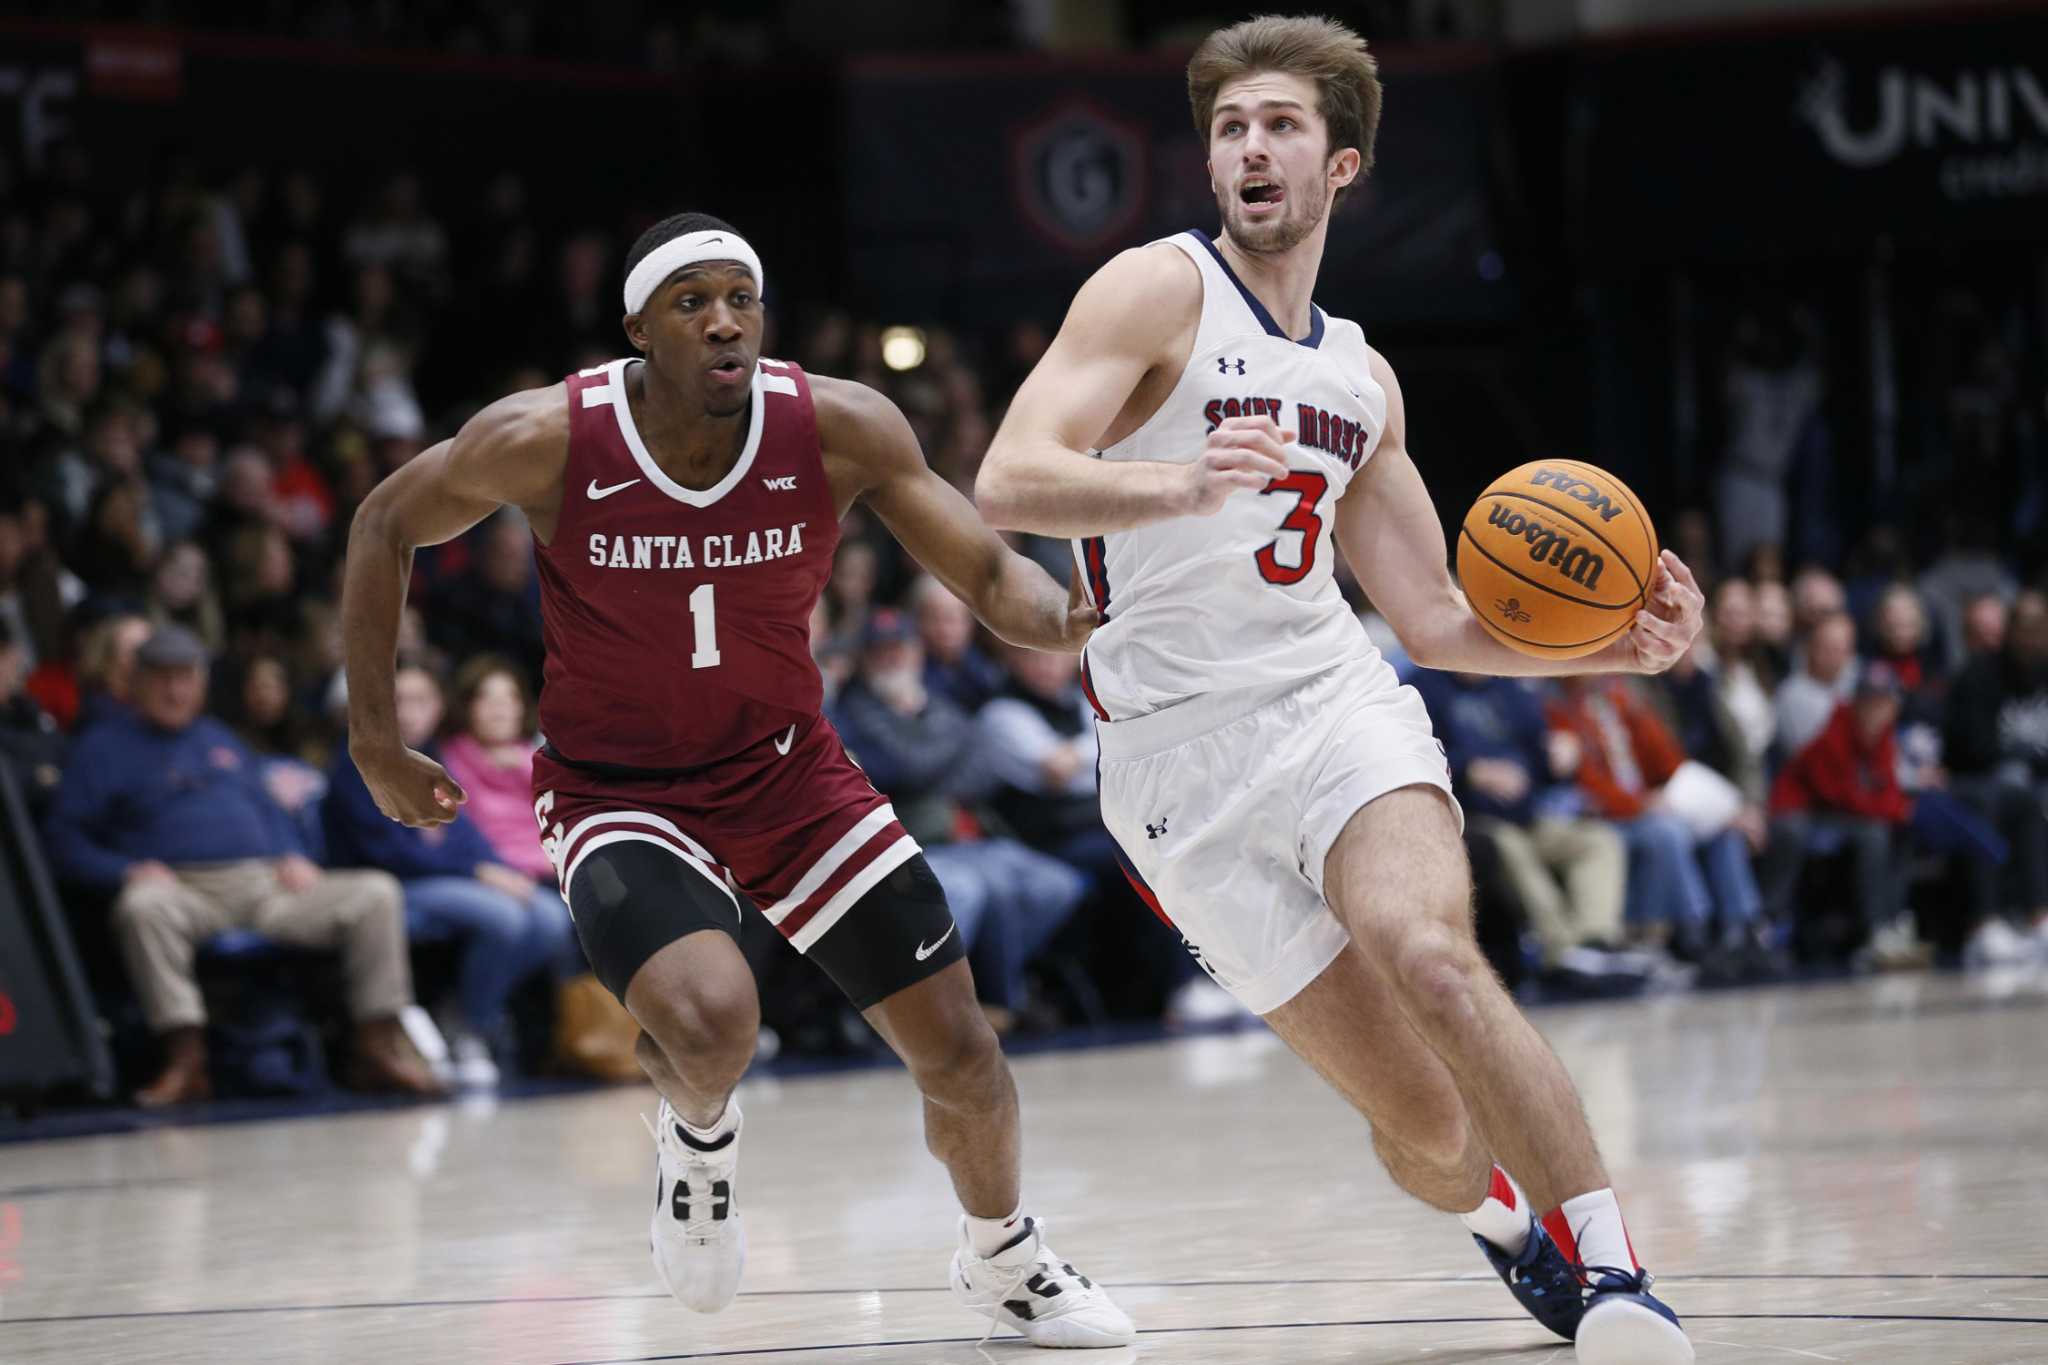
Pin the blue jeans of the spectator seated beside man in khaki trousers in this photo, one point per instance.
(503, 938)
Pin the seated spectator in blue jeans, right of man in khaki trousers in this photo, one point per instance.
(456, 887)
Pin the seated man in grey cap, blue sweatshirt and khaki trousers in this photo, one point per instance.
(163, 809)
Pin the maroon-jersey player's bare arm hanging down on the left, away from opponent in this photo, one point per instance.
(507, 455)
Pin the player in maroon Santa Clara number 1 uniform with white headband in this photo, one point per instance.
(687, 507)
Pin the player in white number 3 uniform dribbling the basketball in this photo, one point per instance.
(1205, 435)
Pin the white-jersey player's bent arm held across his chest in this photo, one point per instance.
(1127, 322)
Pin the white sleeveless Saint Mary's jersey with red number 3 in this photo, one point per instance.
(1246, 597)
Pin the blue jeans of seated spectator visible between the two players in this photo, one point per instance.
(1009, 901)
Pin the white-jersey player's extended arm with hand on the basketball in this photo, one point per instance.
(1392, 537)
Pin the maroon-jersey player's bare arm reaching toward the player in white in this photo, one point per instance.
(876, 453)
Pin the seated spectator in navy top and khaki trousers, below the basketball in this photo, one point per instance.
(1508, 773)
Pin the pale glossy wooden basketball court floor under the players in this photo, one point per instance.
(1830, 1174)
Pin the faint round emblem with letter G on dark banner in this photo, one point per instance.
(1080, 175)
